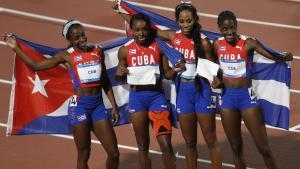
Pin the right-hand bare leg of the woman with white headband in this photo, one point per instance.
(106, 135)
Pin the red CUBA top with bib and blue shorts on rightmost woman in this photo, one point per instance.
(236, 63)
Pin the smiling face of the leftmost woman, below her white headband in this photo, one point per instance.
(78, 38)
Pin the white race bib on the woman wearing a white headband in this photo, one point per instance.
(89, 72)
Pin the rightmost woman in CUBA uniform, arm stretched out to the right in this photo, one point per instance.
(238, 100)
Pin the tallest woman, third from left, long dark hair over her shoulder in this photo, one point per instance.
(194, 93)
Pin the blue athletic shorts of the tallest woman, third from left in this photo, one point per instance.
(190, 101)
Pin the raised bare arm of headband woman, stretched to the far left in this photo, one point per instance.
(46, 64)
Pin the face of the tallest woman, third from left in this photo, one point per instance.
(186, 21)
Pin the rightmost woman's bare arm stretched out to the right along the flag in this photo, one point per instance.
(252, 44)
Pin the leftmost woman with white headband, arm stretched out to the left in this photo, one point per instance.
(86, 108)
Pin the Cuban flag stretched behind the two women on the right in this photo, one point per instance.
(271, 81)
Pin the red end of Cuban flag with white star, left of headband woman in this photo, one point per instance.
(39, 99)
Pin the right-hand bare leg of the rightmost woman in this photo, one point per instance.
(253, 119)
